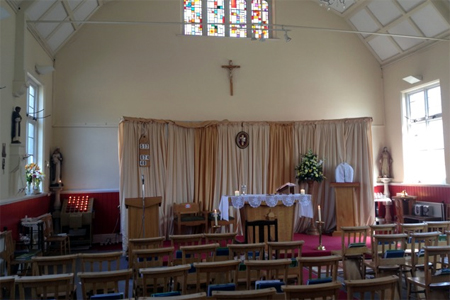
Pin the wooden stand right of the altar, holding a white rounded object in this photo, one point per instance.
(345, 204)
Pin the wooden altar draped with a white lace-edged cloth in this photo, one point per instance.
(260, 207)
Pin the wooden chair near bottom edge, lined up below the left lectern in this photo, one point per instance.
(165, 279)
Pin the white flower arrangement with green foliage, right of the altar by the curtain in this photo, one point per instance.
(310, 168)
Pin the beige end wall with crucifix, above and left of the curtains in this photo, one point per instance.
(151, 71)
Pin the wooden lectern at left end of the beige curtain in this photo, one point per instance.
(143, 217)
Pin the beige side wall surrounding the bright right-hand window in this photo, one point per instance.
(433, 64)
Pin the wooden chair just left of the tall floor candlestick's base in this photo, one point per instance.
(291, 250)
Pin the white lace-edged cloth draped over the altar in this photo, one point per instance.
(304, 203)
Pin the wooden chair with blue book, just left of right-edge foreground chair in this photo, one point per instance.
(390, 258)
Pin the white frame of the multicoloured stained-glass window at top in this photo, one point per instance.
(227, 23)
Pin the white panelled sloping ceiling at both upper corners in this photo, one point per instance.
(390, 28)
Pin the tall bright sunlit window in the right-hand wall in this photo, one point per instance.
(424, 138)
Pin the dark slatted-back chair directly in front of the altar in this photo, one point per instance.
(260, 231)
